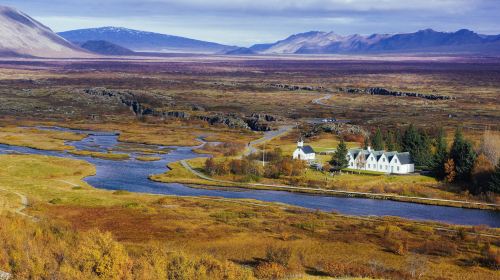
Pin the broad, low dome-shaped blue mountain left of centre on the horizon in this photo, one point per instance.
(142, 41)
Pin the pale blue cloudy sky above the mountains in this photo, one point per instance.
(247, 22)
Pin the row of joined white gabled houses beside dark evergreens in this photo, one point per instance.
(381, 161)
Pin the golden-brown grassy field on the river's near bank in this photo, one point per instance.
(240, 230)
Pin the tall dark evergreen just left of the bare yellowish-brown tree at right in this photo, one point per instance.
(463, 155)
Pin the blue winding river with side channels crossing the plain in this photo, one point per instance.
(132, 175)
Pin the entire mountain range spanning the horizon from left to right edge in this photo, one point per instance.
(21, 35)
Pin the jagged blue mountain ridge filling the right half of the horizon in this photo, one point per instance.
(423, 41)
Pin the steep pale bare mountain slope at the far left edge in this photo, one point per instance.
(21, 35)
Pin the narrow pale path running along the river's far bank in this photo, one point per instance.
(346, 193)
